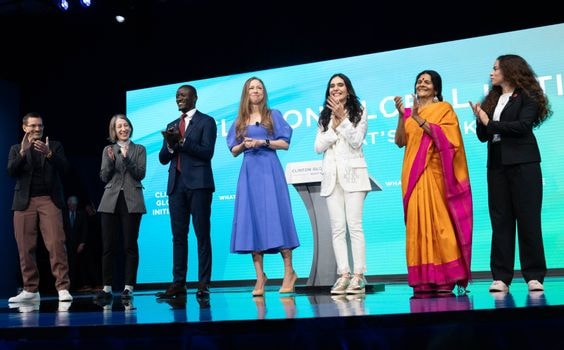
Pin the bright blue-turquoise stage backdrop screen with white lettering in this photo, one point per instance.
(298, 91)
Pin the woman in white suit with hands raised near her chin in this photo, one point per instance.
(341, 131)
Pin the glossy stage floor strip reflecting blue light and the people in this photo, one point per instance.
(237, 304)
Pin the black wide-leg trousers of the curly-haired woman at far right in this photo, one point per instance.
(515, 201)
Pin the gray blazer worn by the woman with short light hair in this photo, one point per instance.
(123, 173)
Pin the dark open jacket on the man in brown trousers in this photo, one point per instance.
(21, 169)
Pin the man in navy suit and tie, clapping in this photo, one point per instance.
(188, 148)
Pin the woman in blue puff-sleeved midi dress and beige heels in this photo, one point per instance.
(263, 222)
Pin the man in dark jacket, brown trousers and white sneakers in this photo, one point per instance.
(38, 165)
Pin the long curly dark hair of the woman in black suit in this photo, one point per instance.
(519, 73)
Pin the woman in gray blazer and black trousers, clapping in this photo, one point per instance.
(124, 164)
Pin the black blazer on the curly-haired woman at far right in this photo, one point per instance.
(518, 143)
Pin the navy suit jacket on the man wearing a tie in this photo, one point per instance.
(195, 153)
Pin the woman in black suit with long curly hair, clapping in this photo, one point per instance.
(514, 106)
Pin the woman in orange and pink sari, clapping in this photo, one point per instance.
(437, 199)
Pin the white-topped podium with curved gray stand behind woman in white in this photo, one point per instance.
(306, 178)
